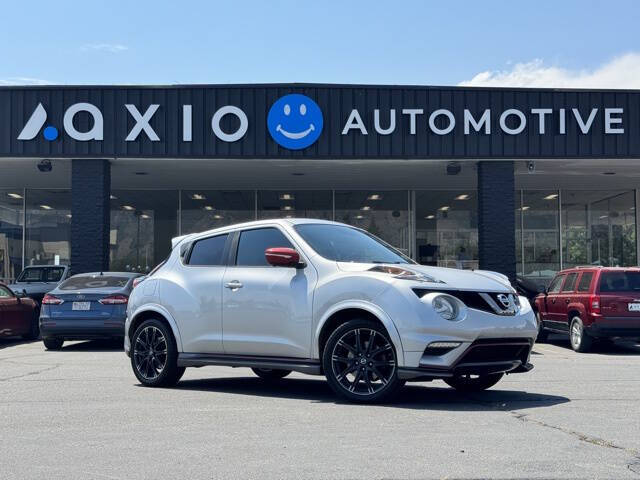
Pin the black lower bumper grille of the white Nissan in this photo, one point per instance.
(497, 350)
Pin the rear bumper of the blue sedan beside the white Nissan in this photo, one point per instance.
(82, 329)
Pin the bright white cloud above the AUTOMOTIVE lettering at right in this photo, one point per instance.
(621, 72)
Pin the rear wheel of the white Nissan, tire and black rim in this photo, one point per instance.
(154, 355)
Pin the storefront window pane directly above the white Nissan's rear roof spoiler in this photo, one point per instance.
(206, 209)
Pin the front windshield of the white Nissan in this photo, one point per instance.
(346, 244)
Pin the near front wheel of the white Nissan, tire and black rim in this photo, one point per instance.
(360, 362)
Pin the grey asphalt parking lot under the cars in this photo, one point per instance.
(80, 413)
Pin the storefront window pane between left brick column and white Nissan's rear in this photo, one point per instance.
(142, 225)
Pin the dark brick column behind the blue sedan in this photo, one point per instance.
(90, 220)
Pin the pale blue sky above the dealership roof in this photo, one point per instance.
(411, 42)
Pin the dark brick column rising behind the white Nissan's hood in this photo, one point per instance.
(496, 217)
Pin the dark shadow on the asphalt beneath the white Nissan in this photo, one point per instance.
(425, 396)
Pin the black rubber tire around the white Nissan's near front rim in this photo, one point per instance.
(385, 393)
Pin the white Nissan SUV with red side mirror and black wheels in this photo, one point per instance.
(323, 298)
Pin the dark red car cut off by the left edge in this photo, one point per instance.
(18, 315)
